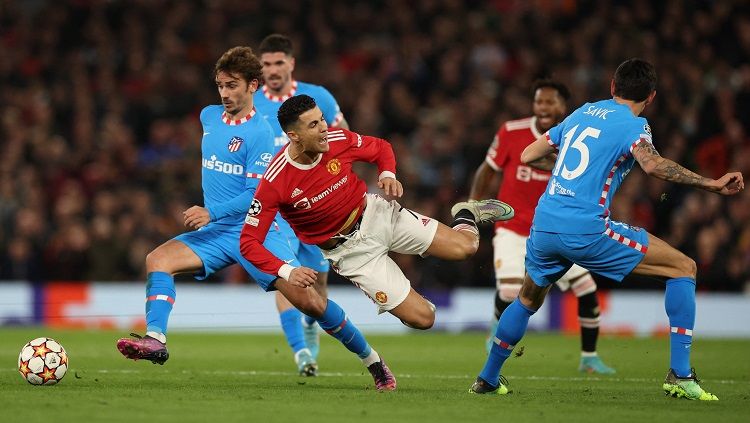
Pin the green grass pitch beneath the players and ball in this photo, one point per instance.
(251, 378)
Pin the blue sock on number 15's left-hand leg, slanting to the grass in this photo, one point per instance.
(510, 330)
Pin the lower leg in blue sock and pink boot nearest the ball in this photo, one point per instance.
(160, 296)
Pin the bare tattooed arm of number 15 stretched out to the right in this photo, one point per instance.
(662, 168)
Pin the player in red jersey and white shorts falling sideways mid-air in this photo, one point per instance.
(312, 184)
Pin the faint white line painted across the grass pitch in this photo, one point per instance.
(398, 375)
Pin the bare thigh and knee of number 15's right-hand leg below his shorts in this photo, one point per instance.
(663, 260)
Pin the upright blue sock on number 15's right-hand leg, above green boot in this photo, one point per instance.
(679, 301)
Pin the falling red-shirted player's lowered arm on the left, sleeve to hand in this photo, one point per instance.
(260, 215)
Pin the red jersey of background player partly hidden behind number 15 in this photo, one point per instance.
(522, 184)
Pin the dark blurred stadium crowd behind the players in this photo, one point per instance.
(99, 103)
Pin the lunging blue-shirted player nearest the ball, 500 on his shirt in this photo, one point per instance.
(236, 149)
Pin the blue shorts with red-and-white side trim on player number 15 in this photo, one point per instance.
(613, 253)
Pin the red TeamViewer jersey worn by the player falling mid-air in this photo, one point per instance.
(316, 199)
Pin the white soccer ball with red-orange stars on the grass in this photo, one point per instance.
(43, 361)
